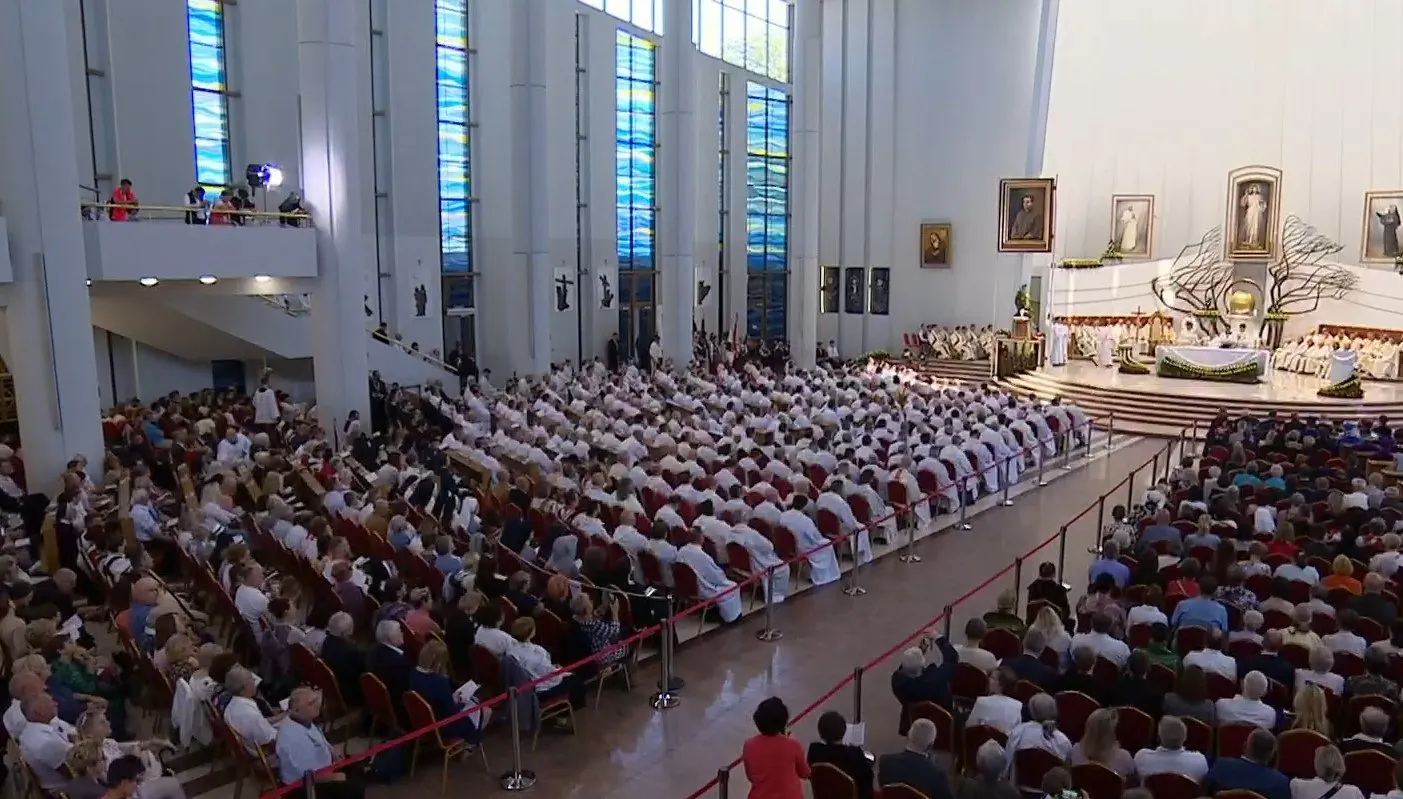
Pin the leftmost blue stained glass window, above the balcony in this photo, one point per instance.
(210, 103)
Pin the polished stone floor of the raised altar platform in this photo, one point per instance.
(1276, 387)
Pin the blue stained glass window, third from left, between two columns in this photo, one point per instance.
(635, 151)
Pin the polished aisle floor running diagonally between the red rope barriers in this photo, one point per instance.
(626, 751)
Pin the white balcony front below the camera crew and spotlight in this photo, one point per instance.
(158, 244)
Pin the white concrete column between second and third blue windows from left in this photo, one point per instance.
(531, 227)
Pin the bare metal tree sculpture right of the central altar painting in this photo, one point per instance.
(1301, 277)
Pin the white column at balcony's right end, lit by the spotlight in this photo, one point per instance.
(328, 58)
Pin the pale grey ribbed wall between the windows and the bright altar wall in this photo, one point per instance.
(925, 106)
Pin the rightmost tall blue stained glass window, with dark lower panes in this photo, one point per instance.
(767, 209)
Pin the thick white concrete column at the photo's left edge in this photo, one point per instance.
(48, 322)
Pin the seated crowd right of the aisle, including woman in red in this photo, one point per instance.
(1249, 605)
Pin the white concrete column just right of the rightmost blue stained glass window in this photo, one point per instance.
(806, 86)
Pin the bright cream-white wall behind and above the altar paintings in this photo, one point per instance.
(1168, 99)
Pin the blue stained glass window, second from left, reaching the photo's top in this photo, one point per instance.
(454, 138)
